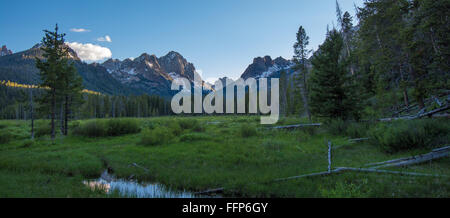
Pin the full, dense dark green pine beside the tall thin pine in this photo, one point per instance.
(330, 85)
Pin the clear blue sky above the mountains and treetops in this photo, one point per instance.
(220, 37)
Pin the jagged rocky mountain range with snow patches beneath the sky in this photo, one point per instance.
(146, 74)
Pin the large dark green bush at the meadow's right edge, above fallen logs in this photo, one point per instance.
(405, 135)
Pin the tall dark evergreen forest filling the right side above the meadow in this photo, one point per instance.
(396, 53)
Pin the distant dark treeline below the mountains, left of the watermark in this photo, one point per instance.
(15, 104)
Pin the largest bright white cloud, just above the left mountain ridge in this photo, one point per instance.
(90, 52)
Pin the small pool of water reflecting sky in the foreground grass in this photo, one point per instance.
(133, 189)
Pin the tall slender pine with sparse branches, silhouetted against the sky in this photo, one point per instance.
(301, 55)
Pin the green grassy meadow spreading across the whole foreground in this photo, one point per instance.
(200, 153)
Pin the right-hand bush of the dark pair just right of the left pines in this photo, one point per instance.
(118, 127)
